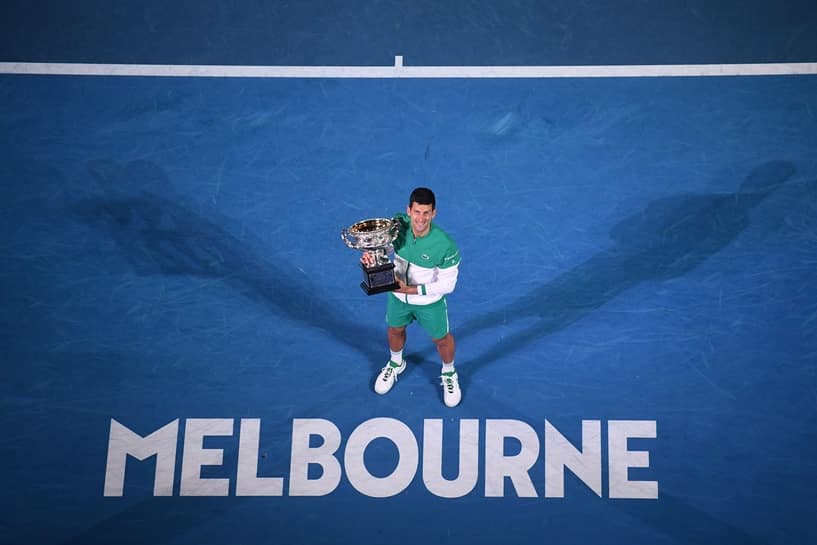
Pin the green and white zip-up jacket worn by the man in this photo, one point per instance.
(430, 262)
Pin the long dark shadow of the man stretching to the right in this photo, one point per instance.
(666, 240)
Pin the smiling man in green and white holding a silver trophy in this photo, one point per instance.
(425, 269)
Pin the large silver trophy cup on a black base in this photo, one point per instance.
(376, 236)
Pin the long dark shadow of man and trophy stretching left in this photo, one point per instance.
(158, 235)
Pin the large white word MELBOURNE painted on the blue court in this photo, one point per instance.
(511, 450)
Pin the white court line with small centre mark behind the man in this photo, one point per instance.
(401, 71)
